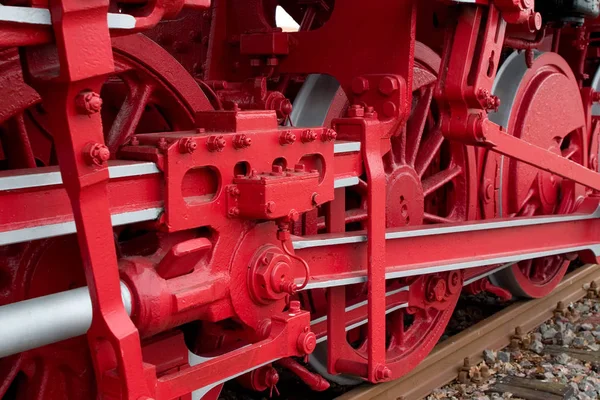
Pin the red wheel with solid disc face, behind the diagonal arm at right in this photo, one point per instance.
(541, 105)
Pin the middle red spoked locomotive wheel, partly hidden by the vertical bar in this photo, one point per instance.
(429, 180)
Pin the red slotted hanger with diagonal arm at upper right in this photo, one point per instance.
(466, 100)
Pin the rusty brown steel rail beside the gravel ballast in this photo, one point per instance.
(496, 332)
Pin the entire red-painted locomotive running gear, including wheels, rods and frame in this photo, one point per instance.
(242, 193)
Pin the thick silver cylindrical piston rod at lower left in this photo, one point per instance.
(37, 322)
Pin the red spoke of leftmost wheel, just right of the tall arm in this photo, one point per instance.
(129, 115)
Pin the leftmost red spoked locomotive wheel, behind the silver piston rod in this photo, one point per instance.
(150, 91)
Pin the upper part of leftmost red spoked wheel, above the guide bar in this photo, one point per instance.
(149, 92)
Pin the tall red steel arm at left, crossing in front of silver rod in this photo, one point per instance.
(82, 158)
